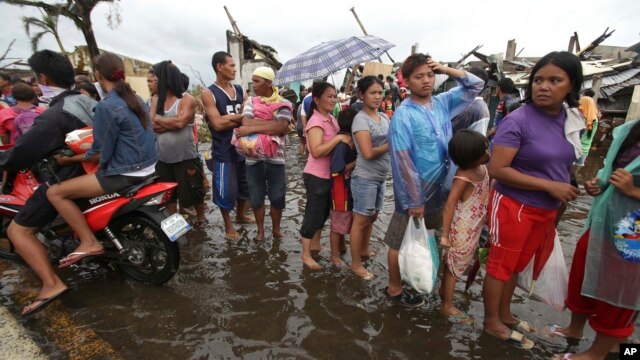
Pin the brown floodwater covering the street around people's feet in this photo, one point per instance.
(248, 299)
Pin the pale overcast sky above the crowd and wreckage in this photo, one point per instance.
(190, 31)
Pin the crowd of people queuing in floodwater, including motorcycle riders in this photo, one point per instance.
(528, 154)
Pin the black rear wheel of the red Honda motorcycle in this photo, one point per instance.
(152, 257)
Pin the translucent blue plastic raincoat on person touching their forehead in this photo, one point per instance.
(418, 141)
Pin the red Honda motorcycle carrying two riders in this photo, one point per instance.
(138, 234)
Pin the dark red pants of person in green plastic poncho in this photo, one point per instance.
(605, 319)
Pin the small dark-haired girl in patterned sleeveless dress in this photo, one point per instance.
(464, 213)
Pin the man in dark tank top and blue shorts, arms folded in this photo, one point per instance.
(223, 105)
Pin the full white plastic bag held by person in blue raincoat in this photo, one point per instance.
(418, 257)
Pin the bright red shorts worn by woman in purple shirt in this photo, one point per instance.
(517, 232)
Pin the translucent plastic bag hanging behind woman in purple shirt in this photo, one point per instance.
(552, 284)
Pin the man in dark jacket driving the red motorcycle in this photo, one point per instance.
(68, 111)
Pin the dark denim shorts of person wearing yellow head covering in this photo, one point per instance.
(267, 179)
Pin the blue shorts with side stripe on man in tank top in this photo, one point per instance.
(229, 184)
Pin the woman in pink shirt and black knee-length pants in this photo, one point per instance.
(322, 137)
